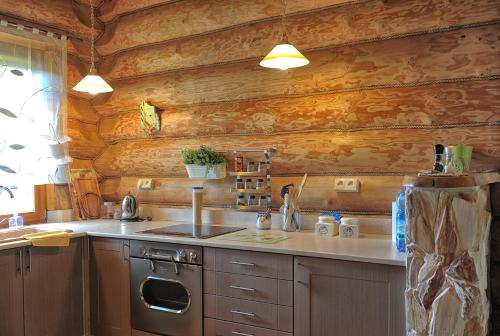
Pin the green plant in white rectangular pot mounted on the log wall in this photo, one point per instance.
(204, 163)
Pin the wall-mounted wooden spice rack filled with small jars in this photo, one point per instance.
(264, 190)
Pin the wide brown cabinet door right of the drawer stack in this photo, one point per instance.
(342, 298)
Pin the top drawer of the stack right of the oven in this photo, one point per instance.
(270, 265)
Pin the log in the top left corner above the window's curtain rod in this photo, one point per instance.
(56, 14)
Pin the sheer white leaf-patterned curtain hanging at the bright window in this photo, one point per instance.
(33, 145)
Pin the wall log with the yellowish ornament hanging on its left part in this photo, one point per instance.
(451, 103)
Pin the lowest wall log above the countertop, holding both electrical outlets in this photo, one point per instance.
(376, 192)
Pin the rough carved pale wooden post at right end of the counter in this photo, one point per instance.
(448, 239)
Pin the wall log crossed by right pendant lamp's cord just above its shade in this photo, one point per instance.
(309, 31)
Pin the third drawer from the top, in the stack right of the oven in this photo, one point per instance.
(254, 313)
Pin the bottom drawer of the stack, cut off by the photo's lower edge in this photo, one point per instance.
(223, 328)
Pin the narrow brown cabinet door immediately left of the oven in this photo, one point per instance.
(110, 287)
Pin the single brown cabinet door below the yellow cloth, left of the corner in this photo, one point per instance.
(53, 290)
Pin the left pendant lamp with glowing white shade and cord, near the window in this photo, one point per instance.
(92, 83)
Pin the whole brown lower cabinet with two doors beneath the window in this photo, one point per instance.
(44, 291)
